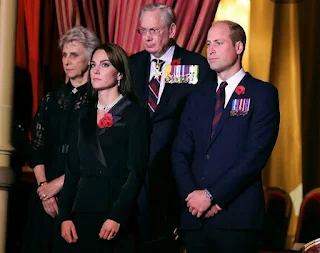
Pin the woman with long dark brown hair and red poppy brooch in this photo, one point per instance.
(107, 169)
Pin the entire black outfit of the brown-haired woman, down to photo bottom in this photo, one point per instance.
(104, 177)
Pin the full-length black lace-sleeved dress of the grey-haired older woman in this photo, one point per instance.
(53, 131)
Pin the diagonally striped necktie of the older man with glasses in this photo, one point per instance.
(154, 86)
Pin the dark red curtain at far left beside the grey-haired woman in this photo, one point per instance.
(36, 46)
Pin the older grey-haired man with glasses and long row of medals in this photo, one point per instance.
(165, 75)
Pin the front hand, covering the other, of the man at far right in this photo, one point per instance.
(198, 202)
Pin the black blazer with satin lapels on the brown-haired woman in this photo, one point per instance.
(107, 169)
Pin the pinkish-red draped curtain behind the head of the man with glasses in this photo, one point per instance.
(193, 20)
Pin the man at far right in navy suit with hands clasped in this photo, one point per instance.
(225, 138)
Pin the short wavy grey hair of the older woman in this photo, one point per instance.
(83, 35)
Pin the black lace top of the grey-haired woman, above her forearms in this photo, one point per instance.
(54, 127)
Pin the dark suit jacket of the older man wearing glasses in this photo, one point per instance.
(165, 120)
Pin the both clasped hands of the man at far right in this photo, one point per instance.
(198, 204)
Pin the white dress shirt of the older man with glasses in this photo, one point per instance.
(167, 58)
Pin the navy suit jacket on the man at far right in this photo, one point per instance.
(229, 165)
